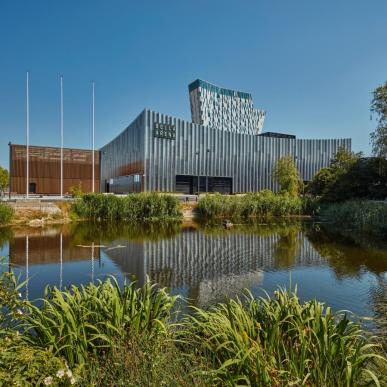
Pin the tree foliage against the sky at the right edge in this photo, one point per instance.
(379, 107)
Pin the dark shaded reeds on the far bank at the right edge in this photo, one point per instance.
(360, 216)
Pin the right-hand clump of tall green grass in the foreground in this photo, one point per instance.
(280, 341)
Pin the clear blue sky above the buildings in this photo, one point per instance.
(312, 65)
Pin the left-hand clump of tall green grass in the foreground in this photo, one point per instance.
(84, 320)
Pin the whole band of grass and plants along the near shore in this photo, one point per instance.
(105, 334)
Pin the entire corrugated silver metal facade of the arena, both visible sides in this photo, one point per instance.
(199, 150)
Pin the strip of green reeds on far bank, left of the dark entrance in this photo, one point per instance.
(140, 206)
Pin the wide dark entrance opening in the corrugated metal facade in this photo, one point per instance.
(188, 184)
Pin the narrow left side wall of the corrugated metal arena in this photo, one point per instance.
(124, 155)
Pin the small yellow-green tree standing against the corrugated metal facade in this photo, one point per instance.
(286, 175)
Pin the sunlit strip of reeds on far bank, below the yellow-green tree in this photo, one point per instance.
(262, 204)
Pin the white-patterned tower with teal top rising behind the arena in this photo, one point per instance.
(224, 109)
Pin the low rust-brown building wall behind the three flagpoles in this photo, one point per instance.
(44, 168)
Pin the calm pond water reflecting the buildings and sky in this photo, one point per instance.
(206, 263)
